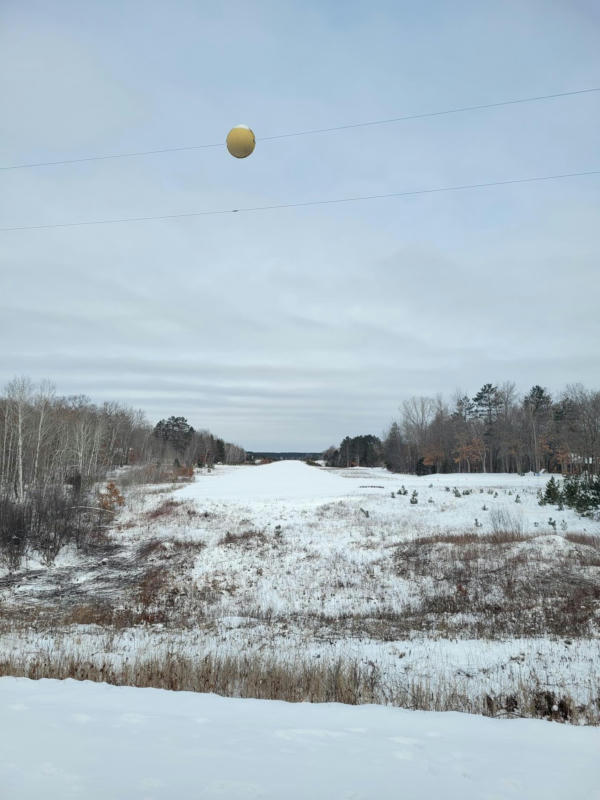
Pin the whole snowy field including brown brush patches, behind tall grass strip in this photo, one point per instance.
(298, 565)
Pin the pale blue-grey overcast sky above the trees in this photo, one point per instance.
(288, 329)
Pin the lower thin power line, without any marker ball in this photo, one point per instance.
(304, 204)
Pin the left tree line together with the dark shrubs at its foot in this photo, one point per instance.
(55, 451)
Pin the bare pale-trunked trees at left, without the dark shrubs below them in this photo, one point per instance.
(46, 440)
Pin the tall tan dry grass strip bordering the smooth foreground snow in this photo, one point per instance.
(350, 683)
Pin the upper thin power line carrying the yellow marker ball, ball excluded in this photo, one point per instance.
(311, 132)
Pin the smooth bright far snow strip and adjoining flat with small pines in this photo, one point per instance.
(291, 487)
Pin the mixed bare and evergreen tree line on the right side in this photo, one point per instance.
(496, 430)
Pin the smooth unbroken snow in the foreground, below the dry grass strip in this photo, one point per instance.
(64, 739)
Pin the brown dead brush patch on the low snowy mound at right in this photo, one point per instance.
(493, 586)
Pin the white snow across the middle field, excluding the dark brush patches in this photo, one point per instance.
(314, 579)
